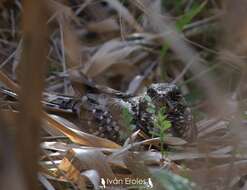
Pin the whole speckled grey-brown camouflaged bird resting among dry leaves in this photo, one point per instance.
(101, 114)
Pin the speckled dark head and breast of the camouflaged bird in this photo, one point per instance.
(168, 96)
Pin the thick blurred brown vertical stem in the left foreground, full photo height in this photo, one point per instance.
(35, 44)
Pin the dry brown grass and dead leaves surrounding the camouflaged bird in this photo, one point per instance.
(76, 47)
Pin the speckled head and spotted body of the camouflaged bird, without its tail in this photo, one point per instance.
(109, 121)
